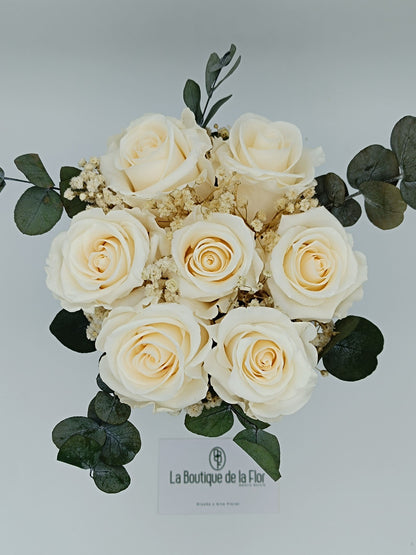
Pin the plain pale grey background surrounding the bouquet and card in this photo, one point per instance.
(74, 73)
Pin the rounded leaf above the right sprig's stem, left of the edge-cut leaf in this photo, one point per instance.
(374, 163)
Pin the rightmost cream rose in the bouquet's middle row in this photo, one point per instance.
(315, 273)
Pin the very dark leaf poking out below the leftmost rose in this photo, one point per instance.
(70, 329)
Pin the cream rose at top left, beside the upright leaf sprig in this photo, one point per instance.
(154, 155)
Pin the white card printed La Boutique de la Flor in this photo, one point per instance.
(212, 475)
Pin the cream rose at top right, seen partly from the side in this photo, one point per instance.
(270, 158)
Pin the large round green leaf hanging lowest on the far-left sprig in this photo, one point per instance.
(37, 210)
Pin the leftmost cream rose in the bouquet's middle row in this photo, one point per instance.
(100, 259)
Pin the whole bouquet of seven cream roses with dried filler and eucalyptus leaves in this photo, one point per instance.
(212, 269)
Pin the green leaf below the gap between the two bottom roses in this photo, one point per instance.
(212, 422)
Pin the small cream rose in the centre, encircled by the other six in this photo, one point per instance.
(214, 254)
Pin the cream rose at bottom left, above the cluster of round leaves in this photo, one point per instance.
(155, 355)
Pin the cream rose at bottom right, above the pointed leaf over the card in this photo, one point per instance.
(263, 362)
